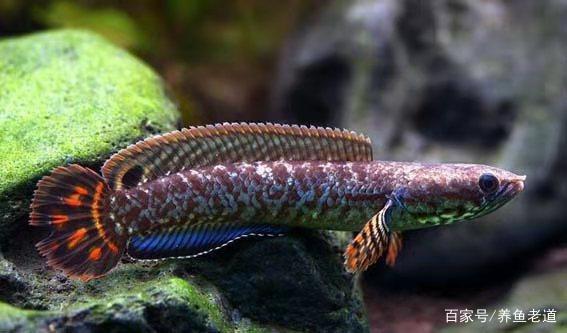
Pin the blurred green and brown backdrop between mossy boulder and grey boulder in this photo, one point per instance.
(217, 56)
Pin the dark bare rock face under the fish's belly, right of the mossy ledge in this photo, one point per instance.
(297, 282)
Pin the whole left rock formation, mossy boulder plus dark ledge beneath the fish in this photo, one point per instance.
(69, 96)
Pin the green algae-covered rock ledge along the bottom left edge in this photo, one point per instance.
(164, 304)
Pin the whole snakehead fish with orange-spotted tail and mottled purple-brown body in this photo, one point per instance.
(189, 192)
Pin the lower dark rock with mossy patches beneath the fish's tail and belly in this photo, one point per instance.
(284, 284)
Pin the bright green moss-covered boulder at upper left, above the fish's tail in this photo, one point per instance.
(69, 96)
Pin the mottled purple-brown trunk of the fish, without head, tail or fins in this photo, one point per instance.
(320, 195)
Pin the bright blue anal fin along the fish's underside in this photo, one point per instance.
(196, 240)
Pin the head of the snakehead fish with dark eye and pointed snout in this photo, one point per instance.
(440, 194)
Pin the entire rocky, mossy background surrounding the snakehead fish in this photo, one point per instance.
(429, 81)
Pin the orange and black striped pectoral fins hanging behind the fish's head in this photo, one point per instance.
(374, 240)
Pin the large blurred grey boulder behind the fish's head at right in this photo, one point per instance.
(446, 81)
